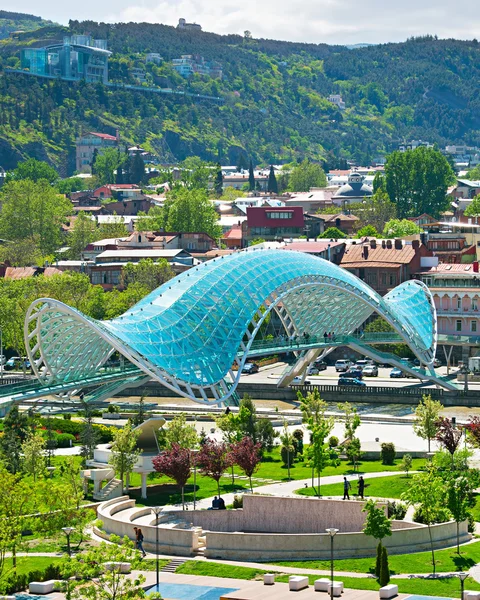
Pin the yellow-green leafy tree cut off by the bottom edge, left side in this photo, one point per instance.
(86, 572)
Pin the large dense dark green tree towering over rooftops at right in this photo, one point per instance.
(417, 181)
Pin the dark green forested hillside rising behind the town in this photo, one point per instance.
(274, 93)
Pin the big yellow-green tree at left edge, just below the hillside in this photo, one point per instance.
(34, 213)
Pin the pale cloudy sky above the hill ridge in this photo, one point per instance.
(330, 21)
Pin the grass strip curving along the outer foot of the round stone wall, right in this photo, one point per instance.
(402, 564)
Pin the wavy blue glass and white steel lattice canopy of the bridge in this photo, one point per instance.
(188, 333)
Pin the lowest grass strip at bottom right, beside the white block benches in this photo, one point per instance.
(446, 588)
